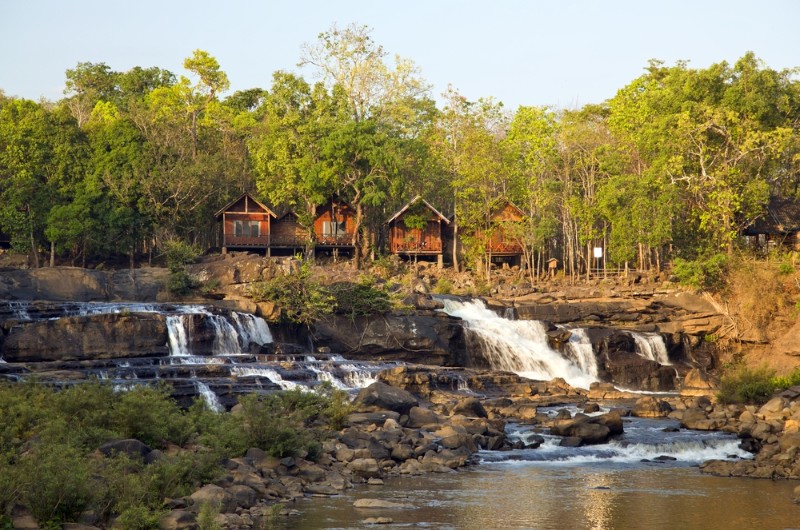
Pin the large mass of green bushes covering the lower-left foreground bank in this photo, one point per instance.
(48, 440)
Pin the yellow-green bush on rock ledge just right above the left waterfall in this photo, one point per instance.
(301, 298)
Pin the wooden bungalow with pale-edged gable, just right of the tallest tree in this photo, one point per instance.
(415, 241)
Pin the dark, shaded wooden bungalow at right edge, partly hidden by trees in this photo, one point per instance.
(779, 226)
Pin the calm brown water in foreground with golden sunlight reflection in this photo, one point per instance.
(527, 496)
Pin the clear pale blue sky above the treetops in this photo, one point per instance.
(558, 52)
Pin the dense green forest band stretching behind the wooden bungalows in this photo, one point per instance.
(675, 165)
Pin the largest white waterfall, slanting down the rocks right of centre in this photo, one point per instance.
(516, 345)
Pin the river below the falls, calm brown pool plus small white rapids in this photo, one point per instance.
(647, 479)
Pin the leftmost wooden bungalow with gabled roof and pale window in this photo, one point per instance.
(245, 224)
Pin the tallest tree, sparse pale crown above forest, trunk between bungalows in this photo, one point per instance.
(383, 106)
